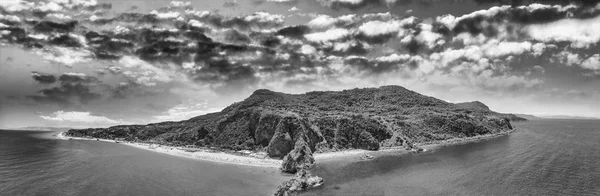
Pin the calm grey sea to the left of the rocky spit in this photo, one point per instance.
(35, 163)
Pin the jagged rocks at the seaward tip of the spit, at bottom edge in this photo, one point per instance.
(302, 180)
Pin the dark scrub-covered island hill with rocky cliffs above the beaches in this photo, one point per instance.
(293, 127)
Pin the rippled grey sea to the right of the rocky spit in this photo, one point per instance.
(544, 157)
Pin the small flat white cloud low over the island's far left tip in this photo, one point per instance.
(82, 117)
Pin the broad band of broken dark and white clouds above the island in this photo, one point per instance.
(231, 54)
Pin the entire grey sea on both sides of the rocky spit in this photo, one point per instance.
(543, 157)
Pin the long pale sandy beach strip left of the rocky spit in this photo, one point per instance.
(204, 154)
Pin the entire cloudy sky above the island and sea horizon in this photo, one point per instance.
(88, 63)
